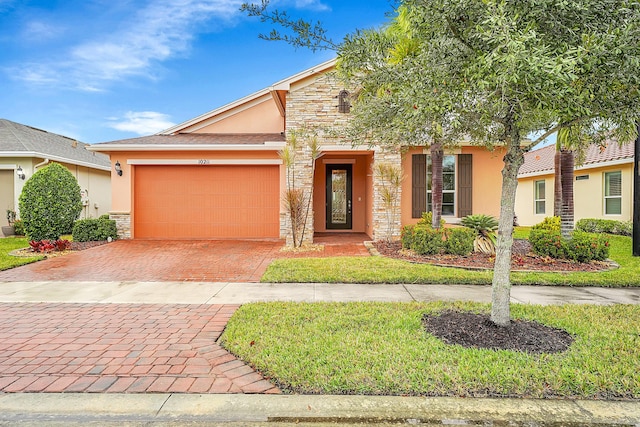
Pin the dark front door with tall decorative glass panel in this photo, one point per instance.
(339, 197)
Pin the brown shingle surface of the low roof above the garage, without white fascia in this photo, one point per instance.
(201, 139)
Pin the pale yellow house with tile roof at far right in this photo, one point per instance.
(603, 186)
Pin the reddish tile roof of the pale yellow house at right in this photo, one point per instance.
(541, 161)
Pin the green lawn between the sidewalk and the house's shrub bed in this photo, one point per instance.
(387, 270)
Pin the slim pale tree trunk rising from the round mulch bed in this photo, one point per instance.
(501, 284)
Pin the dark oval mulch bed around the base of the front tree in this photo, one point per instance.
(473, 330)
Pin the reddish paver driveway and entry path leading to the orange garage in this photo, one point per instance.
(170, 261)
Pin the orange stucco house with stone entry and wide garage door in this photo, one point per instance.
(220, 175)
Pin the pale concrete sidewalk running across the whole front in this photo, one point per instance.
(240, 293)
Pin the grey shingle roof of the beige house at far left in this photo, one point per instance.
(18, 140)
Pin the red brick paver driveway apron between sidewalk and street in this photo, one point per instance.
(120, 348)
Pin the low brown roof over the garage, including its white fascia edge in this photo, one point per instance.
(196, 141)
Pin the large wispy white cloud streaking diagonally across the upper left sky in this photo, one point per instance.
(161, 30)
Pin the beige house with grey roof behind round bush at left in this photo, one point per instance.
(24, 150)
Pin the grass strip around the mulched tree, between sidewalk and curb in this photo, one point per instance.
(382, 348)
